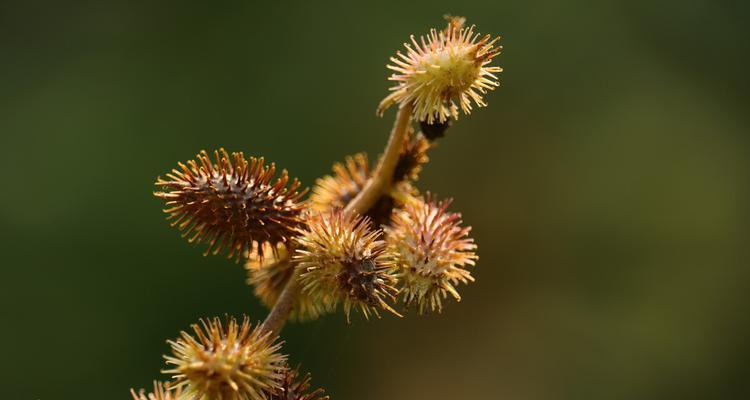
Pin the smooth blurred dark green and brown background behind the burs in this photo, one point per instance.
(607, 184)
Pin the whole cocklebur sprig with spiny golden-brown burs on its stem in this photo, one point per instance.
(366, 239)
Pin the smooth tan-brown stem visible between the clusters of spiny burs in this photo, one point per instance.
(376, 185)
